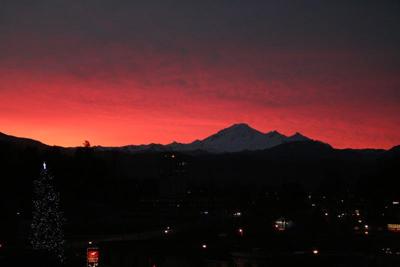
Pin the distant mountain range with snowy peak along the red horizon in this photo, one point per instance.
(239, 137)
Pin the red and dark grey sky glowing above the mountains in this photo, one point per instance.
(118, 72)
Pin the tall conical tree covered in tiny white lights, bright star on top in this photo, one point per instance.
(47, 222)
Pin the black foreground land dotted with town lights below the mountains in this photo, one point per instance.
(297, 204)
